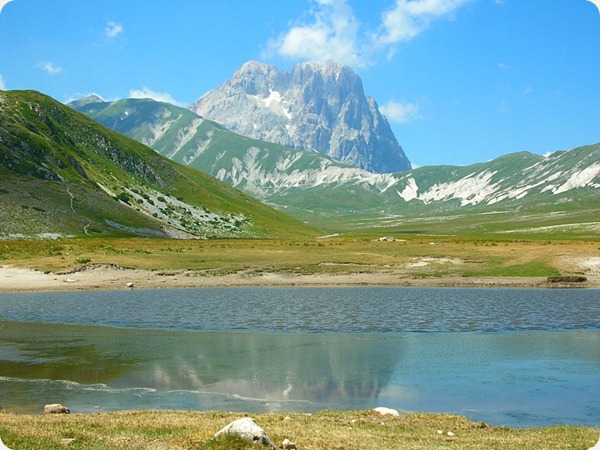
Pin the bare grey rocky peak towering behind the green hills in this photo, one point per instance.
(313, 107)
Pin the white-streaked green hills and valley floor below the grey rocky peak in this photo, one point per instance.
(520, 193)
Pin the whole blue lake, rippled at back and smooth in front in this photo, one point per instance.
(506, 357)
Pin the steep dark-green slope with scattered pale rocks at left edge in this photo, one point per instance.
(64, 174)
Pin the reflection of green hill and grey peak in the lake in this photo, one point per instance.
(313, 370)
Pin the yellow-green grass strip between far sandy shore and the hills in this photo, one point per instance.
(416, 256)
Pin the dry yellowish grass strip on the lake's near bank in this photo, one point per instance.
(358, 430)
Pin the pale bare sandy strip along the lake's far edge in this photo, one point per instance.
(112, 277)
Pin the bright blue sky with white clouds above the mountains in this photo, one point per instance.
(461, 81)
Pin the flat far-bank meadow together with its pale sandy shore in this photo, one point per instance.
(339, 260)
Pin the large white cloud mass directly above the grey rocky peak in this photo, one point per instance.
(332, 30)
